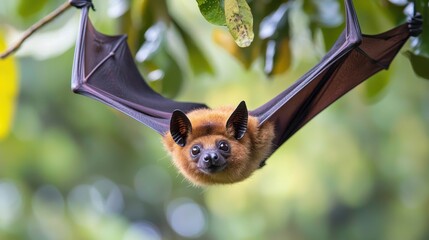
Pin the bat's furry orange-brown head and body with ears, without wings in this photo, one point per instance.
(218, 146)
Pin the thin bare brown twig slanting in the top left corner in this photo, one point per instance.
(35, 27)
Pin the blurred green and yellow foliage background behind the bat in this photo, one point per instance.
(72, 168)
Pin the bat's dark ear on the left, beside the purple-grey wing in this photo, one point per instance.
(180, 127)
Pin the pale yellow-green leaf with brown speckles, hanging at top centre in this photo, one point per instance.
(239, 20)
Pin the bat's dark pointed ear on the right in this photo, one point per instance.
(237, 122)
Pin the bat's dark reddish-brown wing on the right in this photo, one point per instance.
(353, 59)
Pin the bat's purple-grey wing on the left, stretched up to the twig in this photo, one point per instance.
(104, 70)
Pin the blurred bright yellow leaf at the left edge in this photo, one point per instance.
(8, 90)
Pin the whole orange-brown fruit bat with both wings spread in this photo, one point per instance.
(226, 145)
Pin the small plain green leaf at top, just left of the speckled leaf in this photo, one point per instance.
(212, 10)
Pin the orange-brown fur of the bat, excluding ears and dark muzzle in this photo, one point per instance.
(208, 127)
